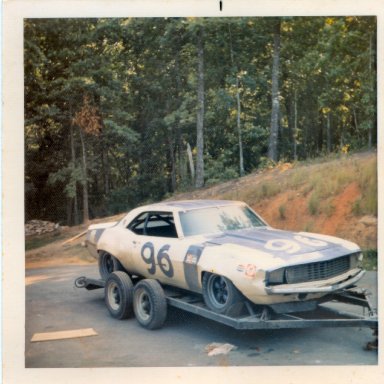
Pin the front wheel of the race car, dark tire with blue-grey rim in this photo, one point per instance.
(220, 295)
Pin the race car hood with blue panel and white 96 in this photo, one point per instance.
(285, 245)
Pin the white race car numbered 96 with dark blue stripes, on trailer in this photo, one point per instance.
(226, 252)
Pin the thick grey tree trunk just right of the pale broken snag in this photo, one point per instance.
(199, 182)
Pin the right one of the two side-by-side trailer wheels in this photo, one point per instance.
(149, 304)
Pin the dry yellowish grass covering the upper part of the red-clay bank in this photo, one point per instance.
(320, 182)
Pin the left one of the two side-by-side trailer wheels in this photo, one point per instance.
(119, 295)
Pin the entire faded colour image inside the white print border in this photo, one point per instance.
(200, 191)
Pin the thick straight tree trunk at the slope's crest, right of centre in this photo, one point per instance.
(273, 137)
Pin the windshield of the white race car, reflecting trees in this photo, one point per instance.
(218, 219)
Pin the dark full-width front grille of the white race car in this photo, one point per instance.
(317, 271)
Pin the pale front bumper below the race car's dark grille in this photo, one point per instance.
(288, 290)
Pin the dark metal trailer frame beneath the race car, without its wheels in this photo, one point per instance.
(330, 313)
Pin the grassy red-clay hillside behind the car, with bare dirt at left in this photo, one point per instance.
(330, 196)
